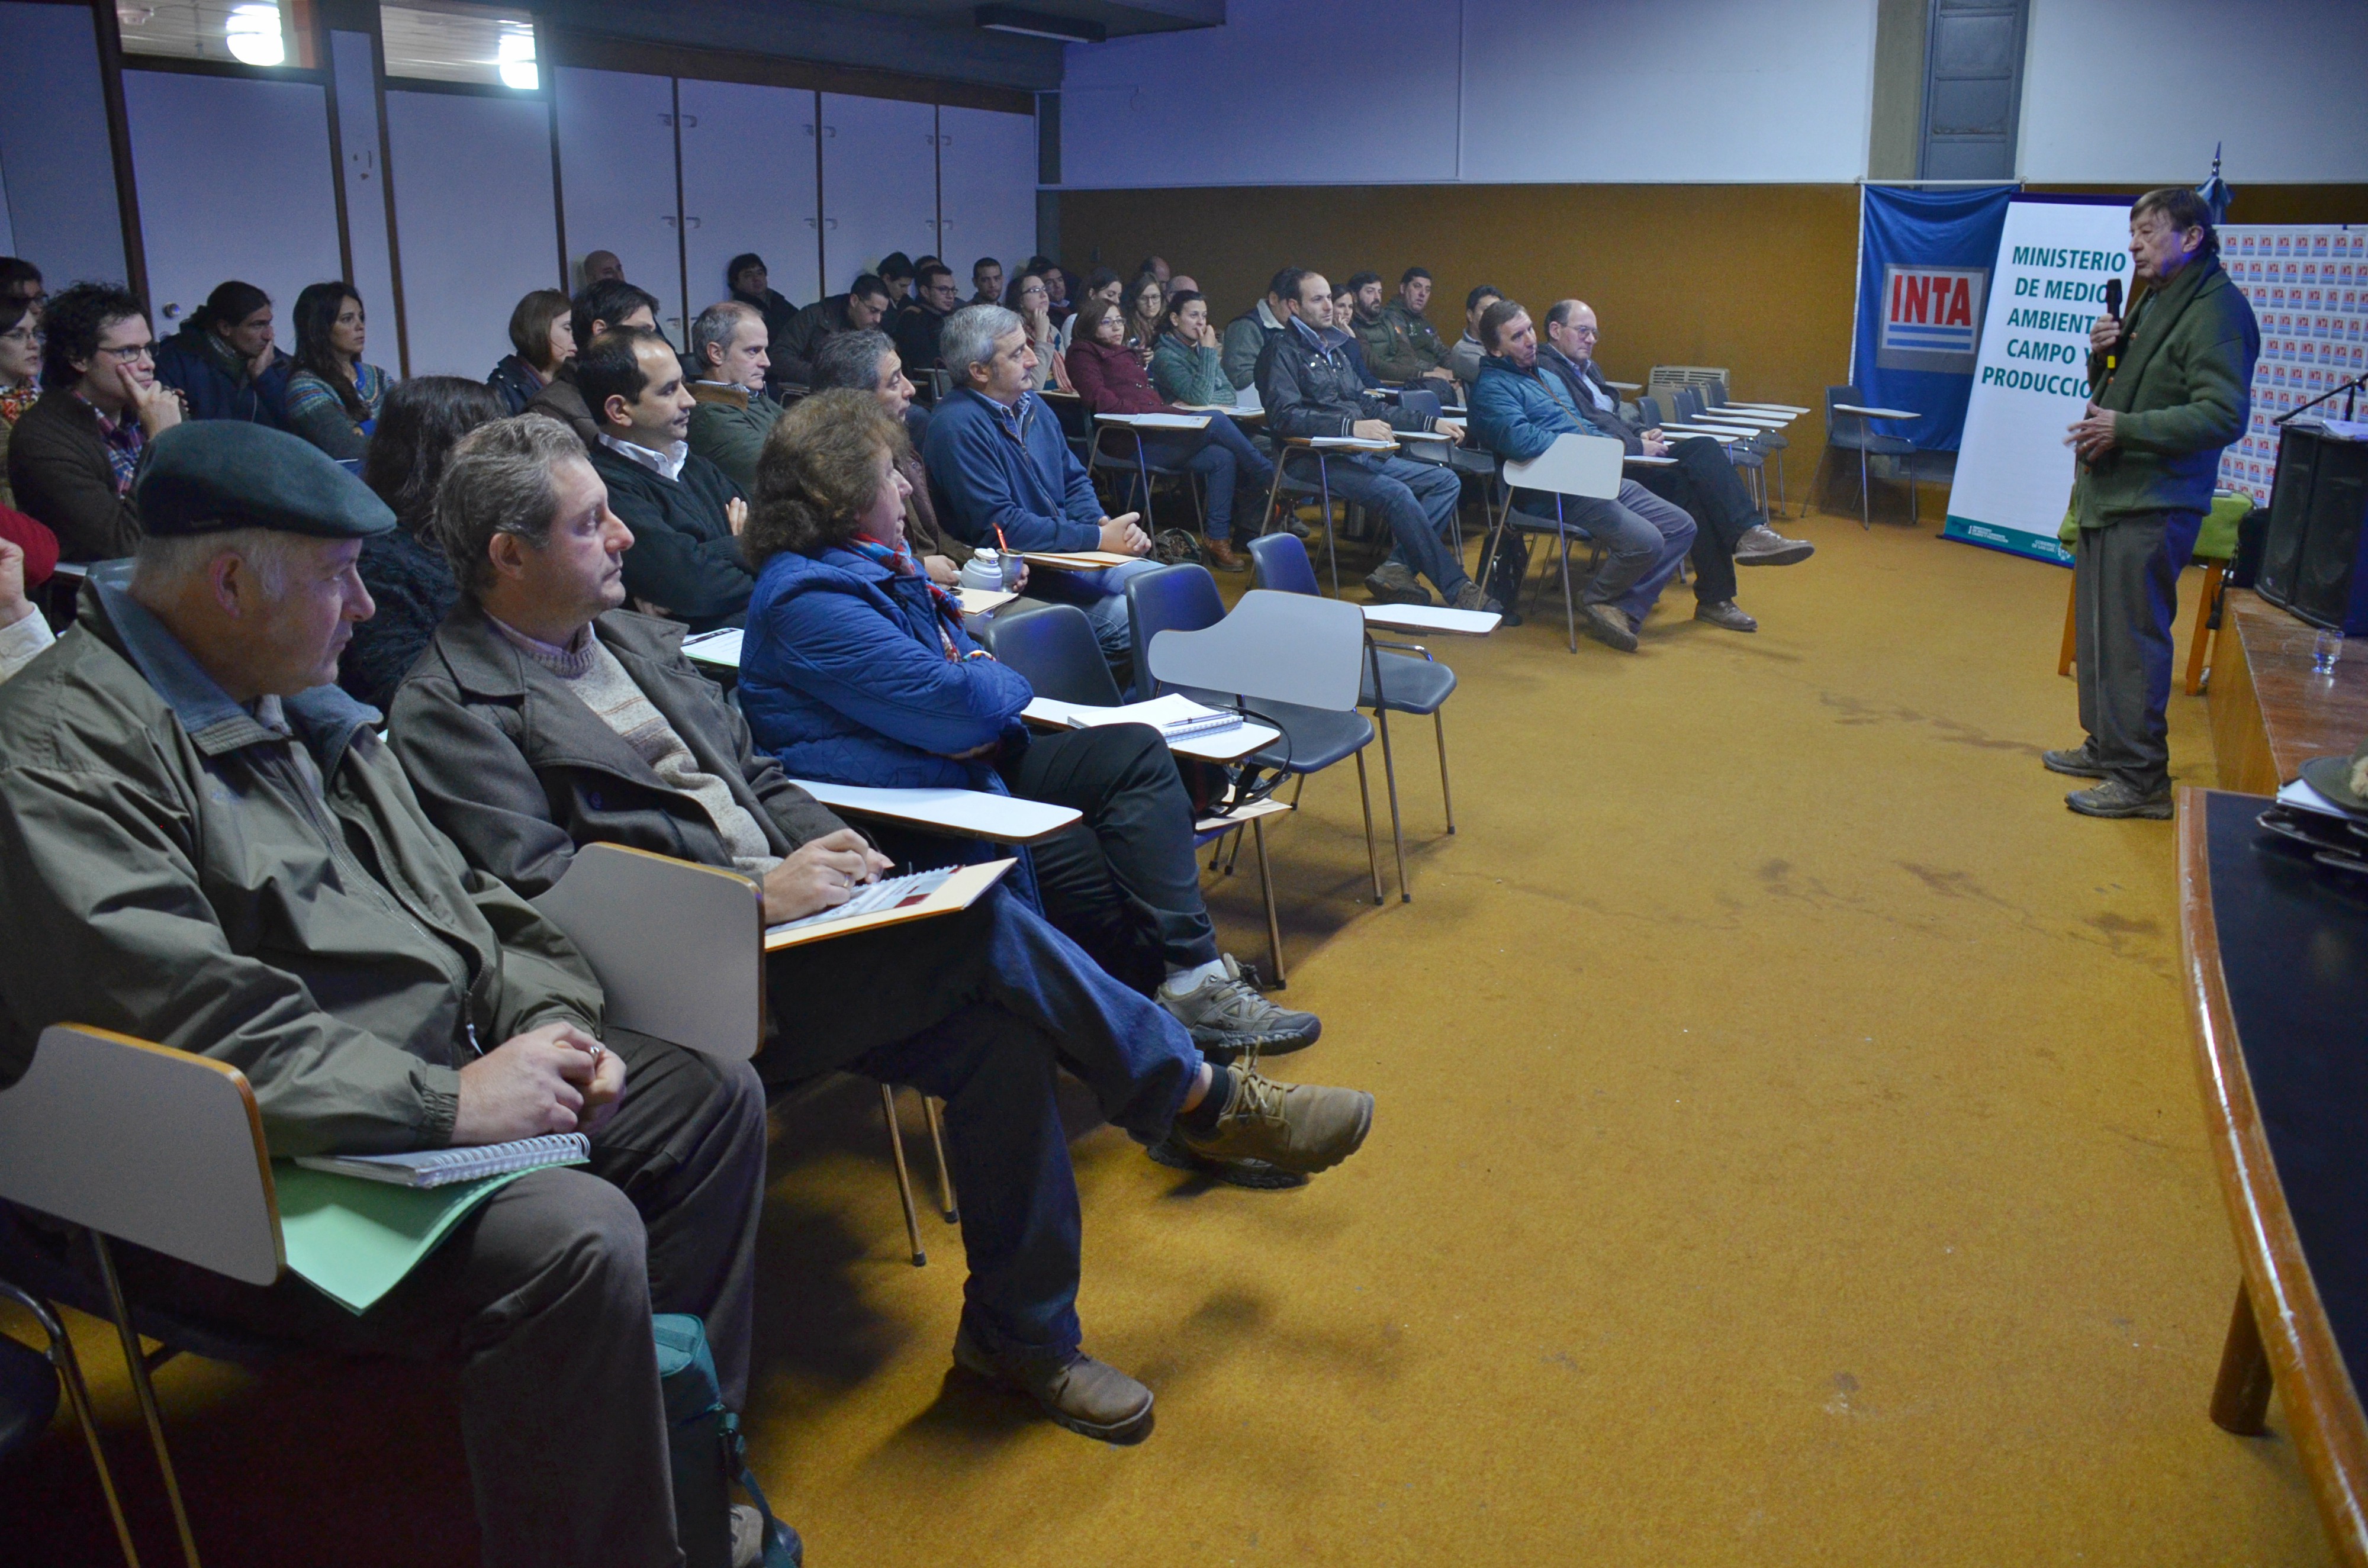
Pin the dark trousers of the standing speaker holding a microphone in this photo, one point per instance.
(2125, 589)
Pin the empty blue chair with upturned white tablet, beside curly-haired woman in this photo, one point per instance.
(1318, 731)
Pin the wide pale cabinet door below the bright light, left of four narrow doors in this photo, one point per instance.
(477, 224)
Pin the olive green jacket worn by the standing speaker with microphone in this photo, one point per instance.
(2182, 392)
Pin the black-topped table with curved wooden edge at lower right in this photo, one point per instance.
(2277, 965)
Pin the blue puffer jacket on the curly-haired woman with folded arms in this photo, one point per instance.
(844, 679)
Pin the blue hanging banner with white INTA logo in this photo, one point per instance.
(1924, 285)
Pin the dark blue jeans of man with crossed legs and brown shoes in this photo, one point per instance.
(991, 1060)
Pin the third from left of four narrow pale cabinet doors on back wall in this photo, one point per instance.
(880, 184)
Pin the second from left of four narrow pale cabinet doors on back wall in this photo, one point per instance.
(749, 186)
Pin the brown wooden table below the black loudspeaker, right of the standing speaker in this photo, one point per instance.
(2270, 709)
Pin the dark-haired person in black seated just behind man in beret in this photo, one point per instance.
(406, 570)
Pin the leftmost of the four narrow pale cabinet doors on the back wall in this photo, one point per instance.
(617, 176)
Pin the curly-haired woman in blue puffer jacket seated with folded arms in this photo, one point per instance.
(858, 671)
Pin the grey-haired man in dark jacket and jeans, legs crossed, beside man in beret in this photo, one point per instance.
(548, 719)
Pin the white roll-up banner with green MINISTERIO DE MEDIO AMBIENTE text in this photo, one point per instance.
(2031, 378)
